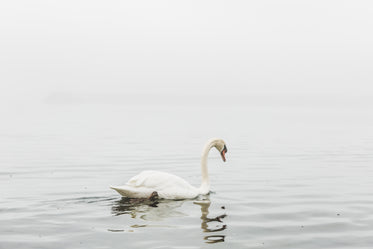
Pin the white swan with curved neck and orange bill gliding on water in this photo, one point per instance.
(168, 186)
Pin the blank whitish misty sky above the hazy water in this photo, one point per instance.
(184, 47)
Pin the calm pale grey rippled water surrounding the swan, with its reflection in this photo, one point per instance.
(295, 176)
